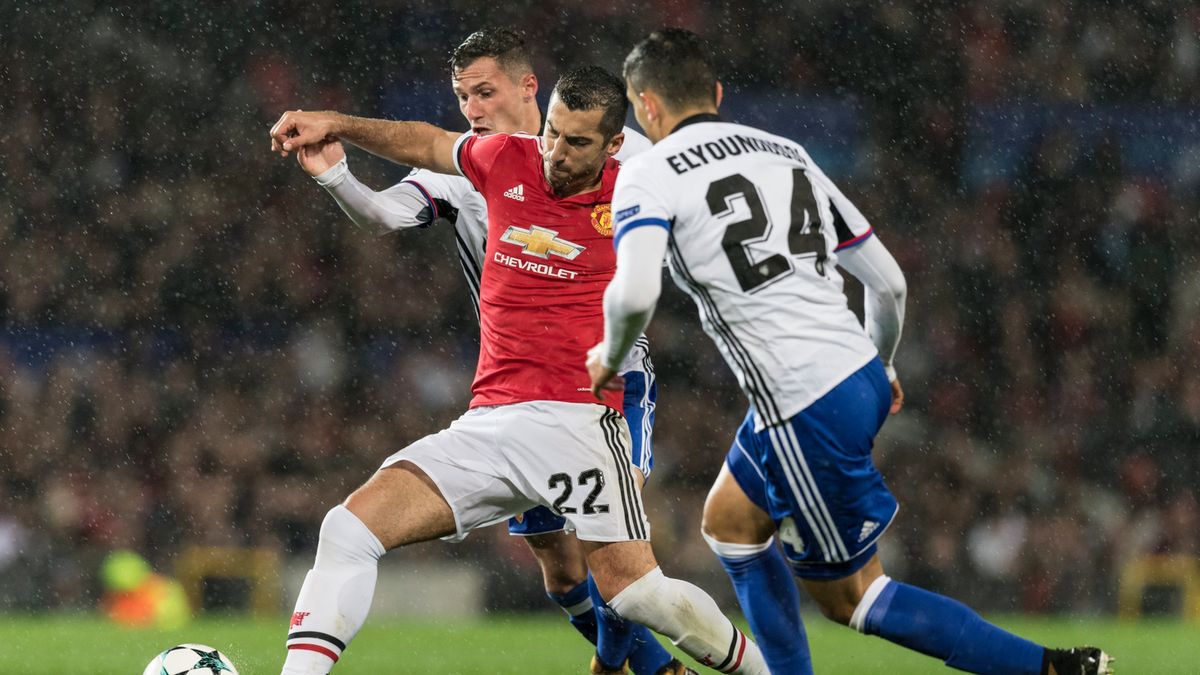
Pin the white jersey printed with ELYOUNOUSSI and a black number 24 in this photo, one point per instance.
(754, 232)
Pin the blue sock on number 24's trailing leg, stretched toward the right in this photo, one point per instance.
(945, 629)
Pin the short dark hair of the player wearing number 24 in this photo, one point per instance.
(677, 65)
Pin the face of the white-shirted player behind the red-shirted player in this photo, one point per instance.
(490, 100)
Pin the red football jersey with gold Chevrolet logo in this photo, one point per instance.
(545, 270)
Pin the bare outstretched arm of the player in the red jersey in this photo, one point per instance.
(410, 144)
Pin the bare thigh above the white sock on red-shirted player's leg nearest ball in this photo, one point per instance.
(401, 505)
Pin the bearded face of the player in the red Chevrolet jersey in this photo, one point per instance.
(575, 150)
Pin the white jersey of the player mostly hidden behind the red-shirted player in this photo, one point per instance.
(471, 224)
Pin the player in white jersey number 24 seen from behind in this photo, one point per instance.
(754, 232)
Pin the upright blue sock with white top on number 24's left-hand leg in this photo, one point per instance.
(771, 602)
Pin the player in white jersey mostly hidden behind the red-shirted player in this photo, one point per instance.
(496, 87)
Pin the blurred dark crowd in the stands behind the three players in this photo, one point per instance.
(199, 348)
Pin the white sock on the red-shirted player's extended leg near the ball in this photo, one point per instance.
(337, 595)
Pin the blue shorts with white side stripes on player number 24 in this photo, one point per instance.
(814, 475)
